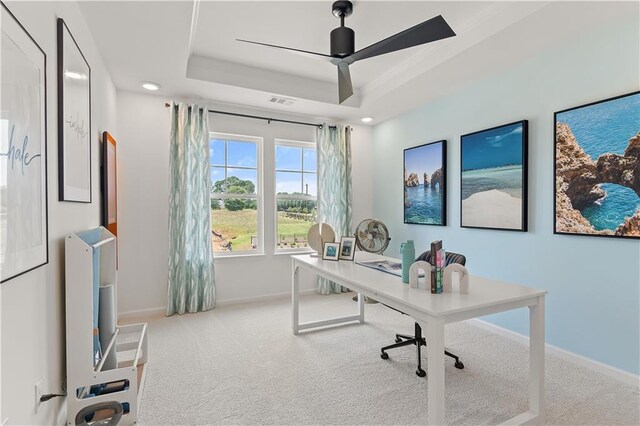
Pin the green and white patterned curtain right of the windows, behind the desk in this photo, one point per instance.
(334, 187)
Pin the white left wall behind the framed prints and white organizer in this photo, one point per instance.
(33, 331)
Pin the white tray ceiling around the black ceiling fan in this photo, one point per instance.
(189, 48)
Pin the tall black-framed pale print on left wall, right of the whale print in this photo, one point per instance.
(74, 119)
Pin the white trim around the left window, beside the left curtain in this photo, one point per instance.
(259, 196)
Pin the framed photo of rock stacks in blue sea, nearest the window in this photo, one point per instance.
(425, 184)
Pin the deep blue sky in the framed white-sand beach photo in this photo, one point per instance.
(492, 148)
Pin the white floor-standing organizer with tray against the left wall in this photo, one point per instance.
(129, 342)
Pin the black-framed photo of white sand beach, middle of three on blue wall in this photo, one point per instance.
(493, 182)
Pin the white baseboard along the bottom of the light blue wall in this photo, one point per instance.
(607, 370)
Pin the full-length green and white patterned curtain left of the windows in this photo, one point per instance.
(191, 273)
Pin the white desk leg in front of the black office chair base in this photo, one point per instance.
(435, 371)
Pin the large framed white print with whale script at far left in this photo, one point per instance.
(24, 242)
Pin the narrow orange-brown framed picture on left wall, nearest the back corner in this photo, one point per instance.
(109, 184)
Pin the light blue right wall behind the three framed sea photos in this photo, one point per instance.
(593, 283)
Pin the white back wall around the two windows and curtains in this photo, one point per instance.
(143, 165)
